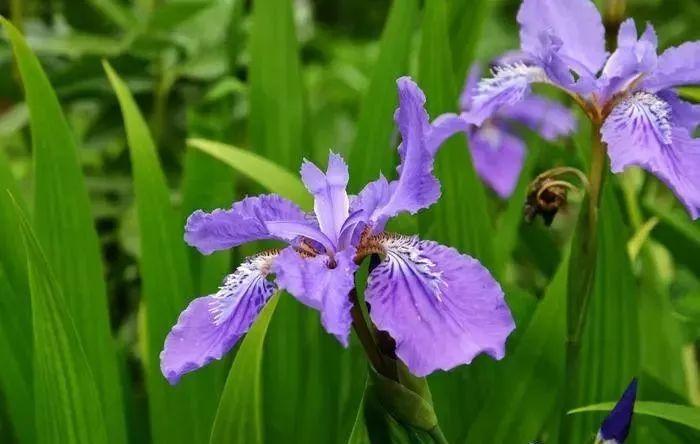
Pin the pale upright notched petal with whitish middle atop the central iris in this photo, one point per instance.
(331, 203)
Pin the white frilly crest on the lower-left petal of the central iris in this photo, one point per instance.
(249, 274)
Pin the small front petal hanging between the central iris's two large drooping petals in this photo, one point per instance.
(321, 283)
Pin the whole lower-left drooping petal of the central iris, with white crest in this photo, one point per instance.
(210, 326)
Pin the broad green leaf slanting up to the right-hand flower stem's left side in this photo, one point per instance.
(530, 377)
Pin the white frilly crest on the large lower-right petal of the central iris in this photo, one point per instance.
(400, 248)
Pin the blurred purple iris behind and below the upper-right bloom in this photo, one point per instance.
(497, 150)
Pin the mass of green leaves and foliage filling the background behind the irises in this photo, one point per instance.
(118, 118)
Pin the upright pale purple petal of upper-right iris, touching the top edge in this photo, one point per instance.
(576, 23)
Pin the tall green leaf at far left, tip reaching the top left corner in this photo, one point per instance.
(64, 226)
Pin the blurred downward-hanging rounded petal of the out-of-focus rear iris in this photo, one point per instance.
(498, 158)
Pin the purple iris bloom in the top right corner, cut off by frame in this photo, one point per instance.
(630, 92)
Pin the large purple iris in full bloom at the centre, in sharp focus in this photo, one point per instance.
(442, 308)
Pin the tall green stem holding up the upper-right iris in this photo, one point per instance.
(582, 266)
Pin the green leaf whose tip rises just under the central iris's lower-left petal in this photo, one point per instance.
(238, 418)
